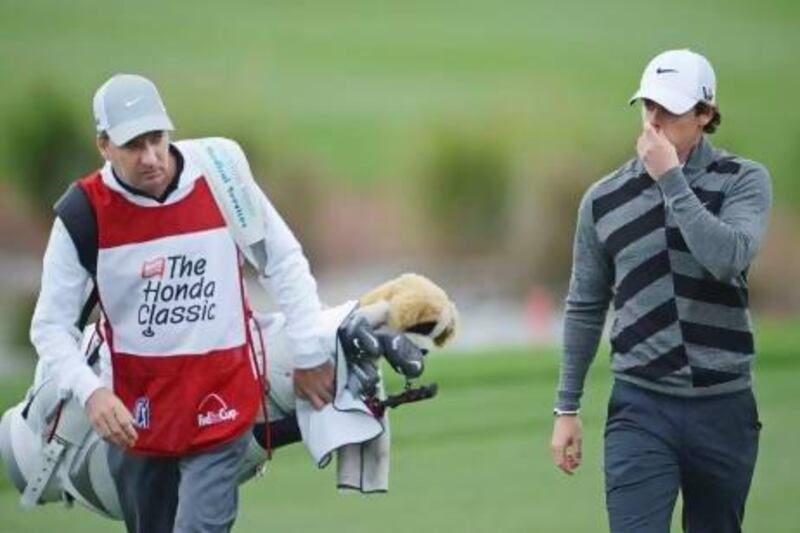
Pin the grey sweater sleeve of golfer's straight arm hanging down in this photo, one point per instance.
(590, 291)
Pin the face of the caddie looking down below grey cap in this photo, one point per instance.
(143, 162)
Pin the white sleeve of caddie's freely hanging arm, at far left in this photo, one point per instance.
(53, 329)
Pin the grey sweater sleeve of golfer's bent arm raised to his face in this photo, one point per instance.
(727, 244)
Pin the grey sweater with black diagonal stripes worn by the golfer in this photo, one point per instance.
(672, 255)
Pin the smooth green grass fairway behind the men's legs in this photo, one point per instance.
(476, 459)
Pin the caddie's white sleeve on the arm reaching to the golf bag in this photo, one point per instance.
(288, 275)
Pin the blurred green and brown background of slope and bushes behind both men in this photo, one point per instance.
(459, 132)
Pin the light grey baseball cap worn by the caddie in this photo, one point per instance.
(128, 105)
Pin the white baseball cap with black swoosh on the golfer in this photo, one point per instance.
(677, 80)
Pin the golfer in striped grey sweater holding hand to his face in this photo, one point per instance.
(668, 239)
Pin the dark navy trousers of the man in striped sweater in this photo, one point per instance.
(656, 444)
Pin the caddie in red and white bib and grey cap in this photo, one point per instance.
(144, 237)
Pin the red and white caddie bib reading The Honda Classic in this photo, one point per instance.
(170, 288)
